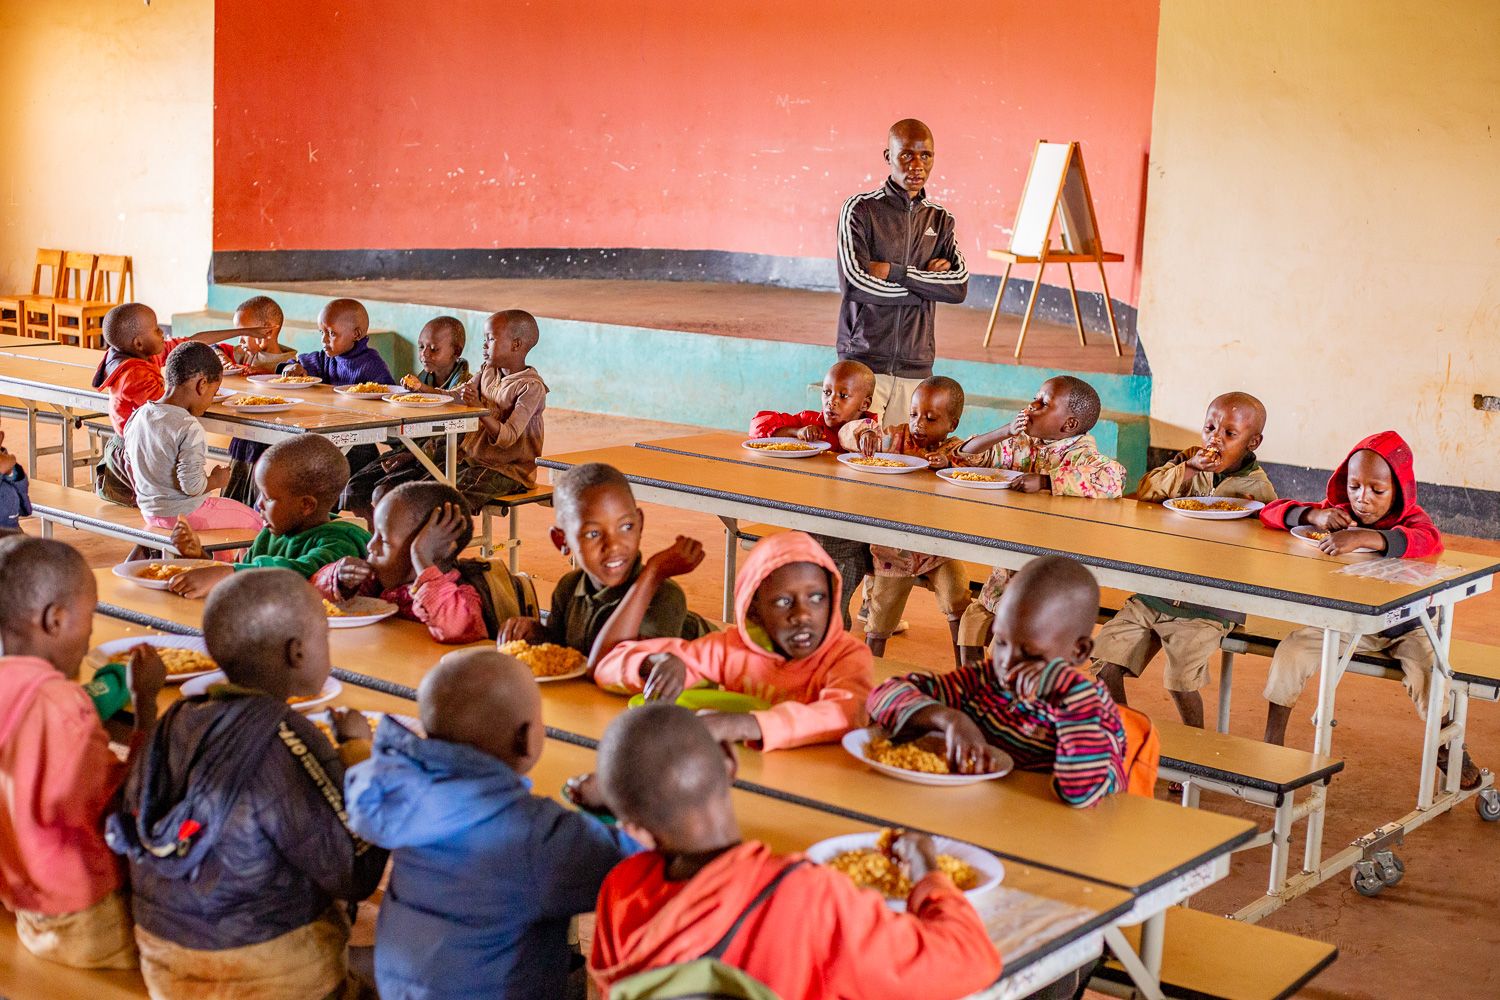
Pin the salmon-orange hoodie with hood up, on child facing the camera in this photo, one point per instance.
(815, 699)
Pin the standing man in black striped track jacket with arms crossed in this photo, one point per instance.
(898, 257)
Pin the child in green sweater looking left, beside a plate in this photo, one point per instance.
(299, 482)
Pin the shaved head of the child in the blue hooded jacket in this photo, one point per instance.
(488, 701)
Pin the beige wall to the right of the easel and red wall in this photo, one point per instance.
(1324, 226)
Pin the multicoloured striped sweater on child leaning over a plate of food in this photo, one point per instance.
(1069, 725)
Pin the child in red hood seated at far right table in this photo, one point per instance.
(1370, 506)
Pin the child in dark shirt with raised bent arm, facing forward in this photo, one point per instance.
(599, 527)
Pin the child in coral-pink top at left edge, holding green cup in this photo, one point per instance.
(59, 776)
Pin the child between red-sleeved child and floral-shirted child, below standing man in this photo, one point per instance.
(935, 413)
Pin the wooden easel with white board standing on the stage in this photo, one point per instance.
(1057, 181)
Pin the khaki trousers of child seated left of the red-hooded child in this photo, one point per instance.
(1139, 632)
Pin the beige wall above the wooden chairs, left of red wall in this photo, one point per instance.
(109, 119)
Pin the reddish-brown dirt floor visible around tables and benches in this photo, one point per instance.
(1433, 936)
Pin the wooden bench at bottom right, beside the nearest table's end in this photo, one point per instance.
(1208, 956)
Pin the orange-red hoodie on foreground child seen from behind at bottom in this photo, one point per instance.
(818, 938)
